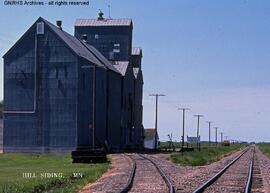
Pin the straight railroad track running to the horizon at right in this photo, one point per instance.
(234, 177)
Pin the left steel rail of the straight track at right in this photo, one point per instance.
(216, 176)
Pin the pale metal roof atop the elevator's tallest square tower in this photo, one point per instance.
(103, 22)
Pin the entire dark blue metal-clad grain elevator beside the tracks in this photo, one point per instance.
(63, 92)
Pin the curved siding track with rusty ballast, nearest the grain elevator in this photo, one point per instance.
(147, 176)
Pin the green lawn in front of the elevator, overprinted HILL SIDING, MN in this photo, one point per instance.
(12, 167)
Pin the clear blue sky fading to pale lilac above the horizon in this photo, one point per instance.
(211, 56)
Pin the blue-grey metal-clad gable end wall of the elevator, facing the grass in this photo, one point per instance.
(53, 124)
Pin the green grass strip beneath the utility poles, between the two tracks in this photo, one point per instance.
(206, 156)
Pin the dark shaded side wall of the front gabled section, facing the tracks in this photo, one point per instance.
(86, 108)
